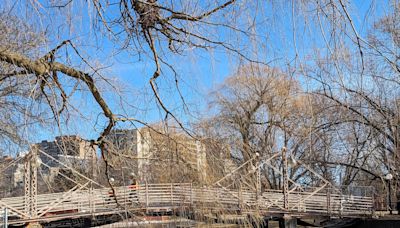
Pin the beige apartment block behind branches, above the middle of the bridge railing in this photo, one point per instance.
(155, 155)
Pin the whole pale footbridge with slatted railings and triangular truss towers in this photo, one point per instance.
(185, 199)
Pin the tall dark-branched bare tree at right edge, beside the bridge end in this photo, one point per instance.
(363, 91)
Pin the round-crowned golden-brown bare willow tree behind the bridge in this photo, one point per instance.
(260, 110)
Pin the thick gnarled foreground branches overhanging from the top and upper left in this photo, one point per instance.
(147, 27)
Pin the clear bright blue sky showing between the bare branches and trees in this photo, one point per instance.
(200, 71)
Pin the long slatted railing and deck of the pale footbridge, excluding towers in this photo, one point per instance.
(183, 197)
